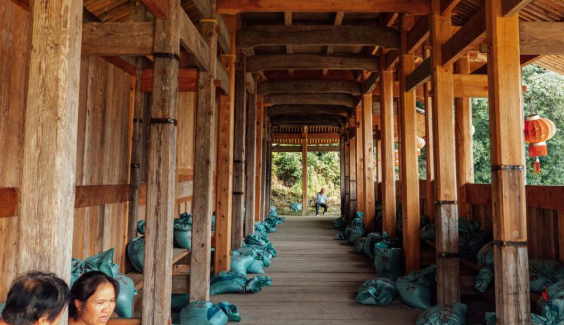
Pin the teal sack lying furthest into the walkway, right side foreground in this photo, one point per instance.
(379, 292)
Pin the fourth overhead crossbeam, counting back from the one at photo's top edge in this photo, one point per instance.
(309, 86)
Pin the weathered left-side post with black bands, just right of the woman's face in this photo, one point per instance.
(161, 178)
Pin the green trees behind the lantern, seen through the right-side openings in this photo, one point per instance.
(545, 96)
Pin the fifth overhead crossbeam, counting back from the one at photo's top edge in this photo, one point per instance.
(310, 99)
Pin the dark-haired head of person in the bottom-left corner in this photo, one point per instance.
(36, 298)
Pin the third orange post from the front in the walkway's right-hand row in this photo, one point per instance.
(409, 163)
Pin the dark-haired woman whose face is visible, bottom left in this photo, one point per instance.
(93, 299)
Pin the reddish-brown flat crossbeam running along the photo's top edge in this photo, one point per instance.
(233, 7)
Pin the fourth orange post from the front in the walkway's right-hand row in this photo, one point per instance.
(388, 157)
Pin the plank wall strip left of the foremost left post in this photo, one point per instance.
(14, 38)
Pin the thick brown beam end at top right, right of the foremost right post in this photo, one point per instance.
(541, 38)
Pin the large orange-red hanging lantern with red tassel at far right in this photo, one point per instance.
(538, 130)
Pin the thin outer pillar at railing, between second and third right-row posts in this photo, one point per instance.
(430, 182)
